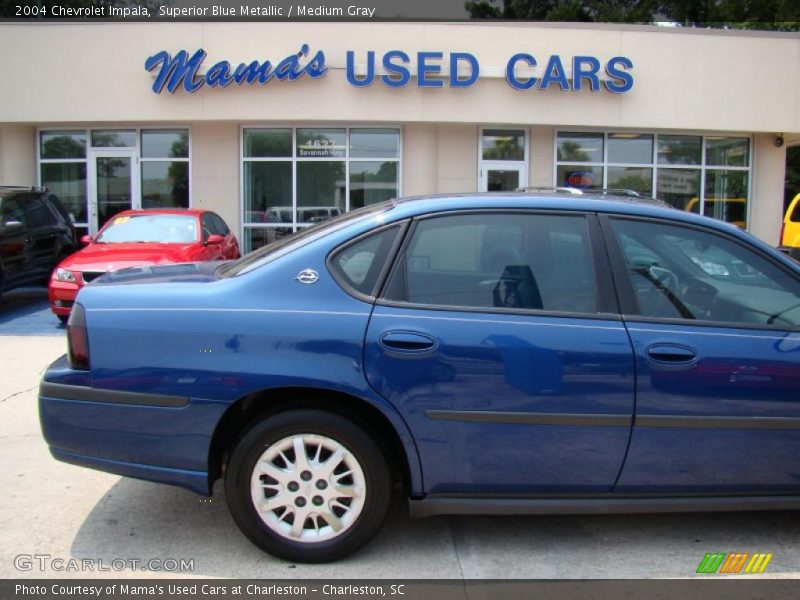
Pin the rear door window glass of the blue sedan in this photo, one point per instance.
(506, 261)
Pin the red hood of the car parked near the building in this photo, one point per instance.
(112, 257)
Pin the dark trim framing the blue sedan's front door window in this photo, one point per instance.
(627, 297)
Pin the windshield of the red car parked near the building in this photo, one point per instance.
(166, 229)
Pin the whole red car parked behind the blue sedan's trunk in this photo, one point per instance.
(141, 237)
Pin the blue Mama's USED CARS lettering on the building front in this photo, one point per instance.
(523, 71)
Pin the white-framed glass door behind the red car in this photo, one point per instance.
(114, 185)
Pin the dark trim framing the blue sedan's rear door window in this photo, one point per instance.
(604, 286)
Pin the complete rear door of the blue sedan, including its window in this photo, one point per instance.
(498, 340)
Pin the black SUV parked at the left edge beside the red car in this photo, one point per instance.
(36, 233)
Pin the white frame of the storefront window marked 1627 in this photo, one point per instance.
(293, 159)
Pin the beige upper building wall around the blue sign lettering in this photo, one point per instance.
(744, 82)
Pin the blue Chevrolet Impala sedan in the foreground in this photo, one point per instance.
(511, 353)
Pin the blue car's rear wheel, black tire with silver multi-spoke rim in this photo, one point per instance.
(339, 519)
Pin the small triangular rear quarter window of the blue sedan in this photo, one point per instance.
(359, 265)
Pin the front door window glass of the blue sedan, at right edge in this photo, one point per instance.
(686, 273)
